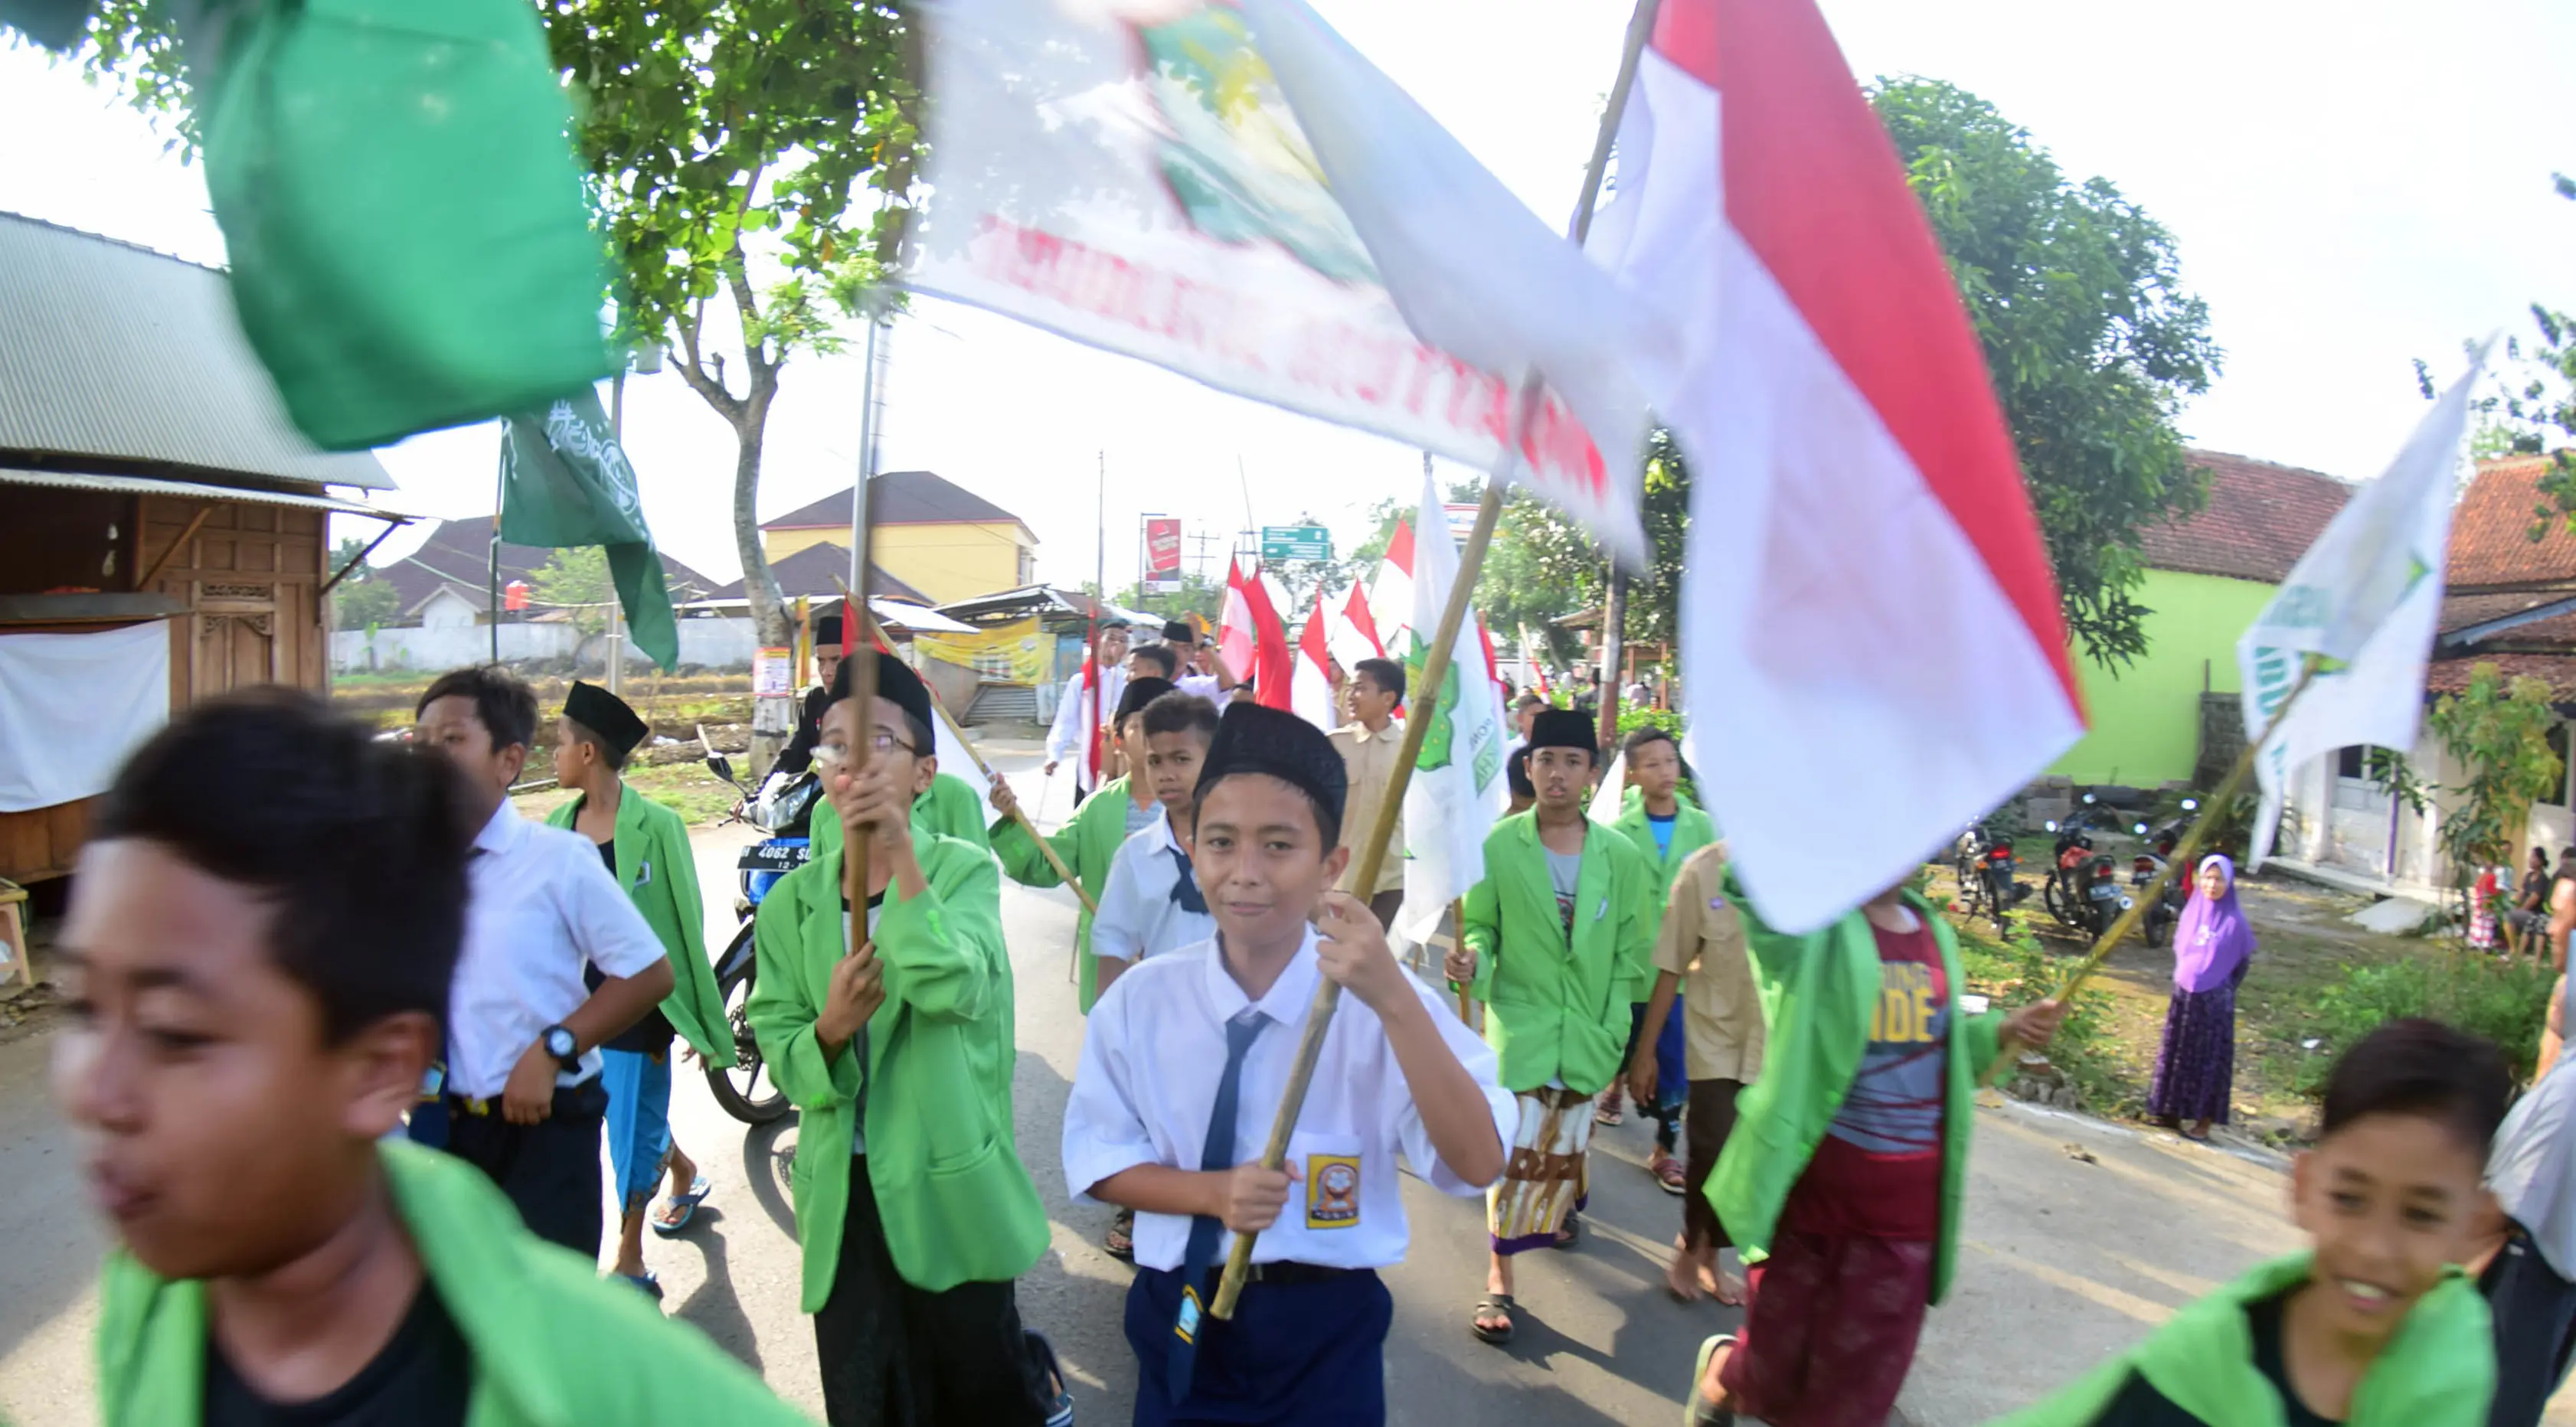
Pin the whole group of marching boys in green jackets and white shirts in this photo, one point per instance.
(349, 1034)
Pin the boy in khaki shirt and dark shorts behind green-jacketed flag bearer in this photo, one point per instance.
(1704, 941)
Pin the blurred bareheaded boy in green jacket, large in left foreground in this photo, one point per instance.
(259, 957)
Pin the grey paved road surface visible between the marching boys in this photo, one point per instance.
(2067, 1253)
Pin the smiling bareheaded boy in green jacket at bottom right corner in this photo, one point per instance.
(2371, 1325)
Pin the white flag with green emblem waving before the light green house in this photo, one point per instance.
(2366, 601)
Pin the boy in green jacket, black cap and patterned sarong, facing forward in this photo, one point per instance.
(1557, 944)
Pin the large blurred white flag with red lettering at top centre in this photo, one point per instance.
(1227, 189)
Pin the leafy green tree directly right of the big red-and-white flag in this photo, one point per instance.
(2090, 339)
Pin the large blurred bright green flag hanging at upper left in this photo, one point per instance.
(403, 210)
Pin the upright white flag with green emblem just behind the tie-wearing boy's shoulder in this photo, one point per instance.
(1459, 789)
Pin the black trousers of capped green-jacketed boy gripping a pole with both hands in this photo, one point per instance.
(895, 1356)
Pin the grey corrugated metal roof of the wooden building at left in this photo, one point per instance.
(122, 354)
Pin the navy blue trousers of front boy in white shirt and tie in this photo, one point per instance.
(1294, 1354)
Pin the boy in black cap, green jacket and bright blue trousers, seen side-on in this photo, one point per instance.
(645, 846)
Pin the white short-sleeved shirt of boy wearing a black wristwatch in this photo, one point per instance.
(540, 908)
